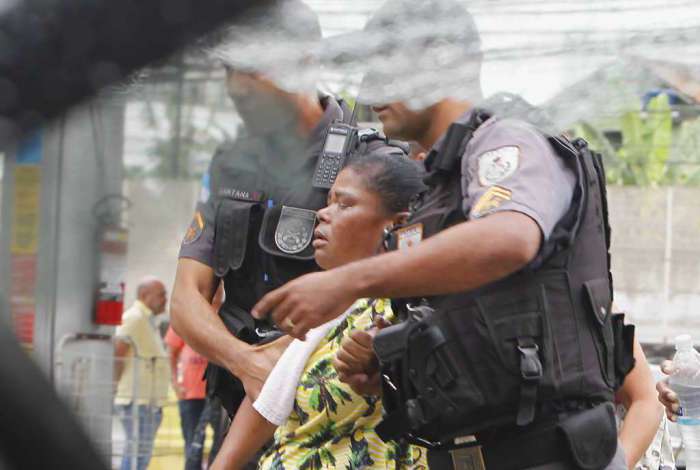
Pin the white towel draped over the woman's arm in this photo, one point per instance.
(276, 399)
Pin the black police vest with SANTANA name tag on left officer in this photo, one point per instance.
(262, 237)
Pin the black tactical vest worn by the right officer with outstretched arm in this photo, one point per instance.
(521, 349)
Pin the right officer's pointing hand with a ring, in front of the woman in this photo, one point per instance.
(307, 302)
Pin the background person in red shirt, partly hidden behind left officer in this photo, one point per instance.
(188, 368)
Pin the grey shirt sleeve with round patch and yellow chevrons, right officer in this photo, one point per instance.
(509, 166)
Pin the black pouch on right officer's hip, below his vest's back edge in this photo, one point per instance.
(591, 436)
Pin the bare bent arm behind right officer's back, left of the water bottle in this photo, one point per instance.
(638, 395)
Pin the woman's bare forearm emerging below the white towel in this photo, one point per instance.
(249, 431)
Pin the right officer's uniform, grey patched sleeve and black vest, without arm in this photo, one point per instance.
(529, 363)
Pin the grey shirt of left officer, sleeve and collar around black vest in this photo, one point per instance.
(198, 242)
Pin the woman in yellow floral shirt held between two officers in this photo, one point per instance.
(330, 425)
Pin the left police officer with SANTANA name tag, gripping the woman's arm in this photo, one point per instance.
(254, 223)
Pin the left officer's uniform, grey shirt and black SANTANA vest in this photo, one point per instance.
(254, 225)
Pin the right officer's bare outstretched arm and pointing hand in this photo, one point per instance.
(463, 257)
